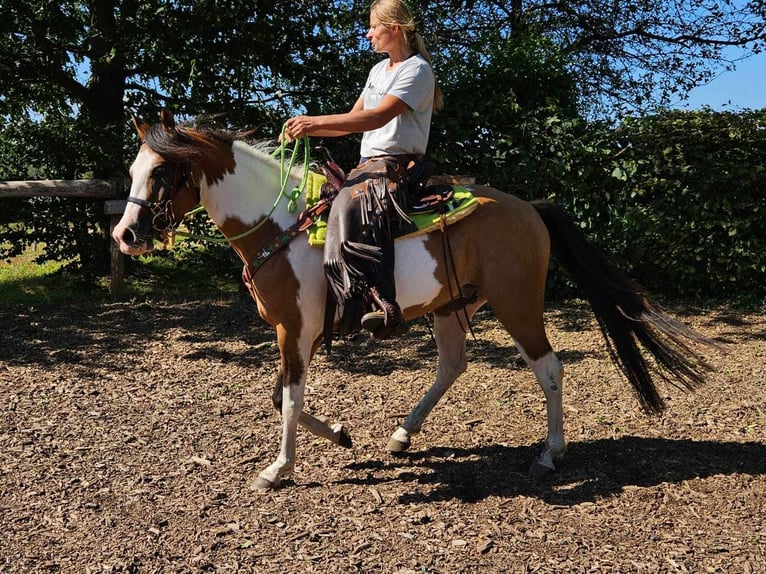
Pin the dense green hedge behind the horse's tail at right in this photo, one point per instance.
(678, 199)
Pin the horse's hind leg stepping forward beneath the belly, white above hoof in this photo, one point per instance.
(450, 335)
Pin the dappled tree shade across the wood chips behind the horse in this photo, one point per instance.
(87, 334)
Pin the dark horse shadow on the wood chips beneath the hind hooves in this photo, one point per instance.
(590, 470)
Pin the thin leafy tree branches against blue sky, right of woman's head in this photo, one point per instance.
(626, 55)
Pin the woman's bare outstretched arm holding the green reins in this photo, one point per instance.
(355, 121)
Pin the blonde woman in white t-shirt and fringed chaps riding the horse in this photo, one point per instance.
(394, 115)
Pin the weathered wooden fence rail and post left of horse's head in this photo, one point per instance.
(97, 189)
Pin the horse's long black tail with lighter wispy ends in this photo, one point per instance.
(628, 320)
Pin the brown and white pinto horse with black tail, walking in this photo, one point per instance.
(500, 253)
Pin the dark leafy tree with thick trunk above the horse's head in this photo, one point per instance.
(69, 70)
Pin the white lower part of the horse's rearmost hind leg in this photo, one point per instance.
(549, 374)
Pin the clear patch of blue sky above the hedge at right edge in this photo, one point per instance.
(743, 88)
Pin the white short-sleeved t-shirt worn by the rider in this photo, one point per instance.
(413, 82)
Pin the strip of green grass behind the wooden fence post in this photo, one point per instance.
(182, 274)
